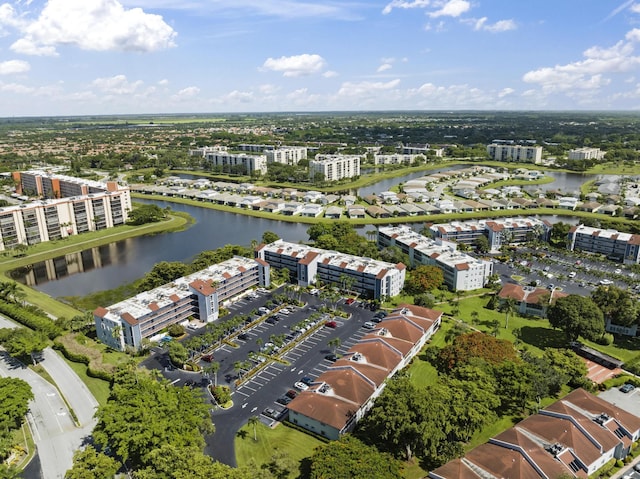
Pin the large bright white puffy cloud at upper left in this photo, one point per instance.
(100, 25)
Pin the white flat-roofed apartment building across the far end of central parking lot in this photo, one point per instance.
(308, 265)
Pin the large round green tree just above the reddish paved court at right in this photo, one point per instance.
(577, 316)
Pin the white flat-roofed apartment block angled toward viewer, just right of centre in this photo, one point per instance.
(461, 271)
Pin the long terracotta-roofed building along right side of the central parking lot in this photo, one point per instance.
(342, 395)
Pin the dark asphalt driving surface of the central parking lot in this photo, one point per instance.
(307, 358)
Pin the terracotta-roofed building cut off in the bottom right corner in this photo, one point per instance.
(573, 437)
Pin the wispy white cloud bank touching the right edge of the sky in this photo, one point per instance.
(587, 73)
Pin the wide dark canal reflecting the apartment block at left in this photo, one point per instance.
(109, 266)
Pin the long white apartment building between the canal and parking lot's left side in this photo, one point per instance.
(199, 295)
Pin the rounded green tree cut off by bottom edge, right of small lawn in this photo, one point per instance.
(350, 458)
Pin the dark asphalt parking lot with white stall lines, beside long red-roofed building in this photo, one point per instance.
(264, 393)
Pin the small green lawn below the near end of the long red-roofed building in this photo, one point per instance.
(297, 445)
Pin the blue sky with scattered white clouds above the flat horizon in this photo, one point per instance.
(83, 57)
